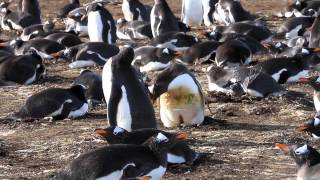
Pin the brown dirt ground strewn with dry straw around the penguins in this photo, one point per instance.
(237, 144)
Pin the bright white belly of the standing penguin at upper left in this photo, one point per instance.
(95, 27)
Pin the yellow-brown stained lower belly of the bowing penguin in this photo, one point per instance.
(179, 106)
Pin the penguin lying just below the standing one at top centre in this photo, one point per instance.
(177, 41)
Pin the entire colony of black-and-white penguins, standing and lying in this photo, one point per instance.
(137, 147)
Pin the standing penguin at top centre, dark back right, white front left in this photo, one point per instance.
(162, 19)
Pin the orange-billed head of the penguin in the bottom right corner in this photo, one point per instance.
(303, 154)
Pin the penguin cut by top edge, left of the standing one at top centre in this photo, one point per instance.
(134, 10)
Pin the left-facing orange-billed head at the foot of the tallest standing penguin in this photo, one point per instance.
(113, 134)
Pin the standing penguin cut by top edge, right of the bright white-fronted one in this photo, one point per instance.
(231, 11)
